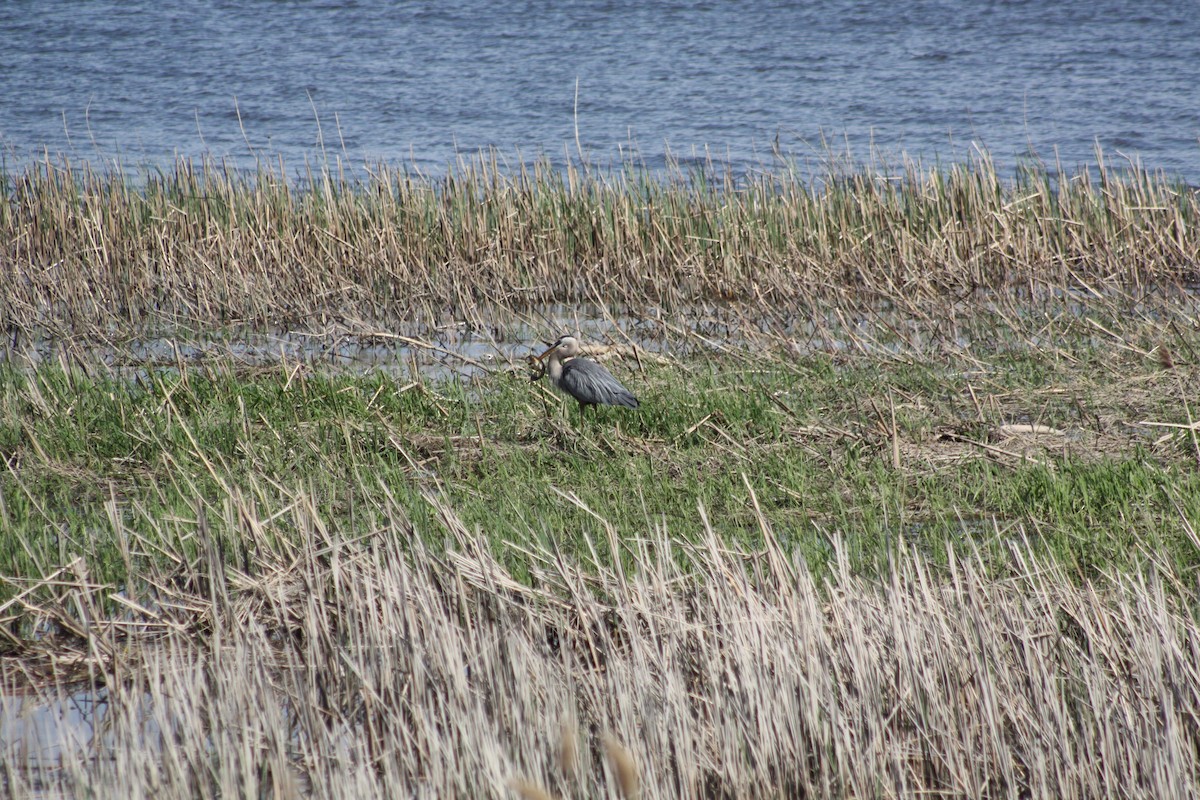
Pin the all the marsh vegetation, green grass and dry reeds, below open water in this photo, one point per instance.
(908, 508)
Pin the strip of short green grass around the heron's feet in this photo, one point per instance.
(812, 440)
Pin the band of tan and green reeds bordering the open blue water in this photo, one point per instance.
(115, 251)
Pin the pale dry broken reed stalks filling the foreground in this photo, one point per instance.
(376, 667)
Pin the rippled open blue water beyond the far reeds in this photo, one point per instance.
(421, 85)
